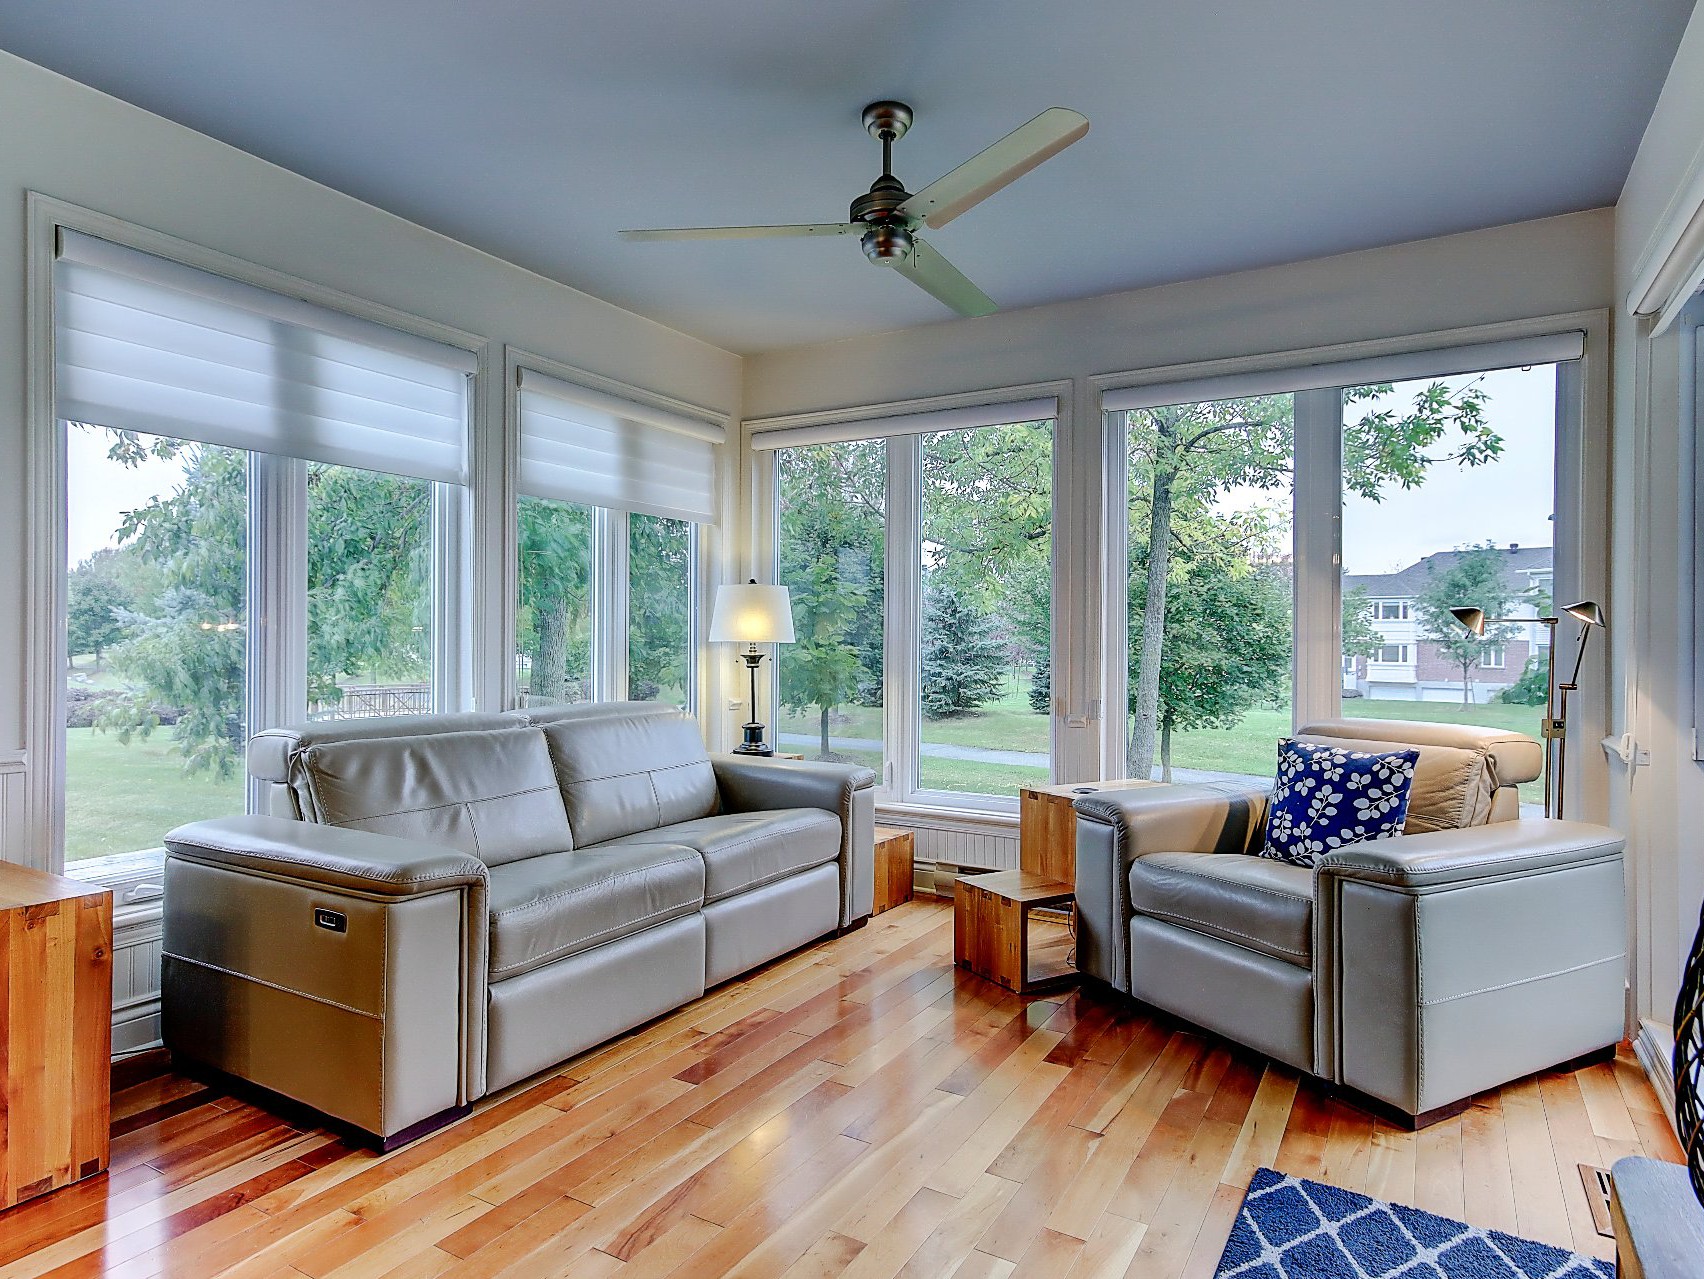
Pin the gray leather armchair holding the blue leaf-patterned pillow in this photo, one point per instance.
(1415, 972)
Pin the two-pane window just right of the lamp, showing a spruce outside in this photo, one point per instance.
(921, 568)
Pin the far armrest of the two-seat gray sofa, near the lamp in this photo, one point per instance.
(848, 791)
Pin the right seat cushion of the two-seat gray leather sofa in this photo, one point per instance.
(745, 851)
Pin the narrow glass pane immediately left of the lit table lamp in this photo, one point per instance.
(660, 611)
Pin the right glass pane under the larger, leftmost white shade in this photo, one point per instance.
(369, 594)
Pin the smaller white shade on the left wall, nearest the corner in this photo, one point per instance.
(584, 445)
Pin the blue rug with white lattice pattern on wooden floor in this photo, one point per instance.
(1294, 1229)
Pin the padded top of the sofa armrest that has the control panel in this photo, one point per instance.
(328, 856)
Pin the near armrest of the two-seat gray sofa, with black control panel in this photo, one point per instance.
(340, 968)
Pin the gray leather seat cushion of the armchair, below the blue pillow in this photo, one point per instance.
(1252, 902)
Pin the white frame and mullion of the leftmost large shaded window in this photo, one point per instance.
(277, 541)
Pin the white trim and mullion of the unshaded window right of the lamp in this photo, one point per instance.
(897, 788)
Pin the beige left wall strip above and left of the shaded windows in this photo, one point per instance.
(71, 142)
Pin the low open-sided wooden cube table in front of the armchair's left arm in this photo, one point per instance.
(991, 929)
